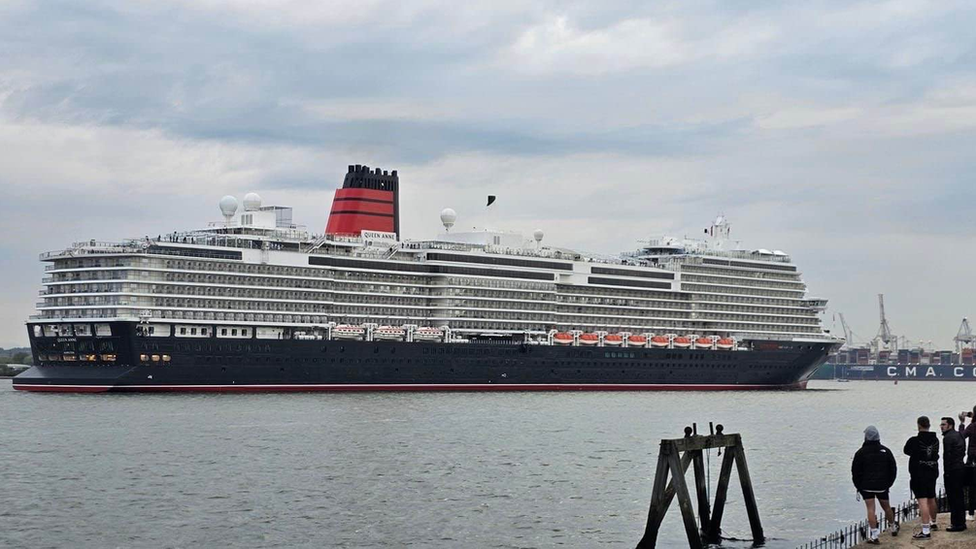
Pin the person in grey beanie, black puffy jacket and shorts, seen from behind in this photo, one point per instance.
(873, 472)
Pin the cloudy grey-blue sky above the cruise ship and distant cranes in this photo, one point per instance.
(842, 132)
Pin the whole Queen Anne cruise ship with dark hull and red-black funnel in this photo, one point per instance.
(257, 303)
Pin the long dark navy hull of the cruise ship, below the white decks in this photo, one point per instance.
(215, 364)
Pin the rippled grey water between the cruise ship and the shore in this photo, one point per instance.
(504, 470)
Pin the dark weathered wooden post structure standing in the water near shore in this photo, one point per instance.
(671, 462)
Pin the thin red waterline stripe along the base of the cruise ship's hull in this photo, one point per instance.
(399, 387)
